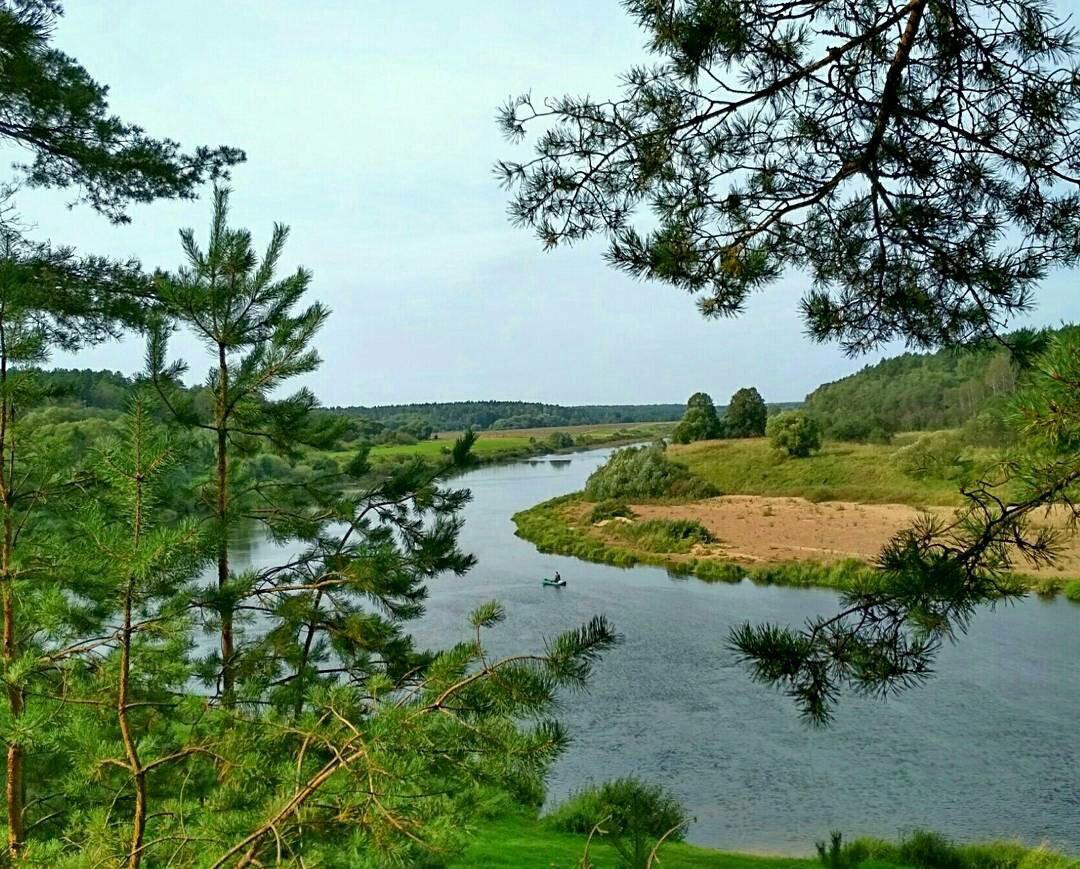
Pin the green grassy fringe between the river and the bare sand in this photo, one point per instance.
(563, 527)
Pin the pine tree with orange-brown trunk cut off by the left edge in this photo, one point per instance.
(49, 300)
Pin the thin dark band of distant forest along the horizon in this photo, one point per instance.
(488, 416)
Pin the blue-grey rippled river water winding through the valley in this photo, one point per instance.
(990, 749)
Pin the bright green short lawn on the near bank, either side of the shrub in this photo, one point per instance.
(526, 844)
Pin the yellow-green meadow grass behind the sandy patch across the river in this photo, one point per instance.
(841, 472)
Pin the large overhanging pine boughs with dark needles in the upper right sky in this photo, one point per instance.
(916, 161)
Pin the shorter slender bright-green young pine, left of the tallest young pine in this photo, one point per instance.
(145, 573)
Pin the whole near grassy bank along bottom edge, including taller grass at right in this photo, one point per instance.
(524, 843)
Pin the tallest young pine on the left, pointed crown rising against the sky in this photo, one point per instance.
(233, 301)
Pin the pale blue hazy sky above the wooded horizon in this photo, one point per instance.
(370, 130)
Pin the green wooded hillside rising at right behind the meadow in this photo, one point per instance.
(922, 392)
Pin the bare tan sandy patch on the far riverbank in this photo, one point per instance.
(755, 528)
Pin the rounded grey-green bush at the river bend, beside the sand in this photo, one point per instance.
(644, 473)
